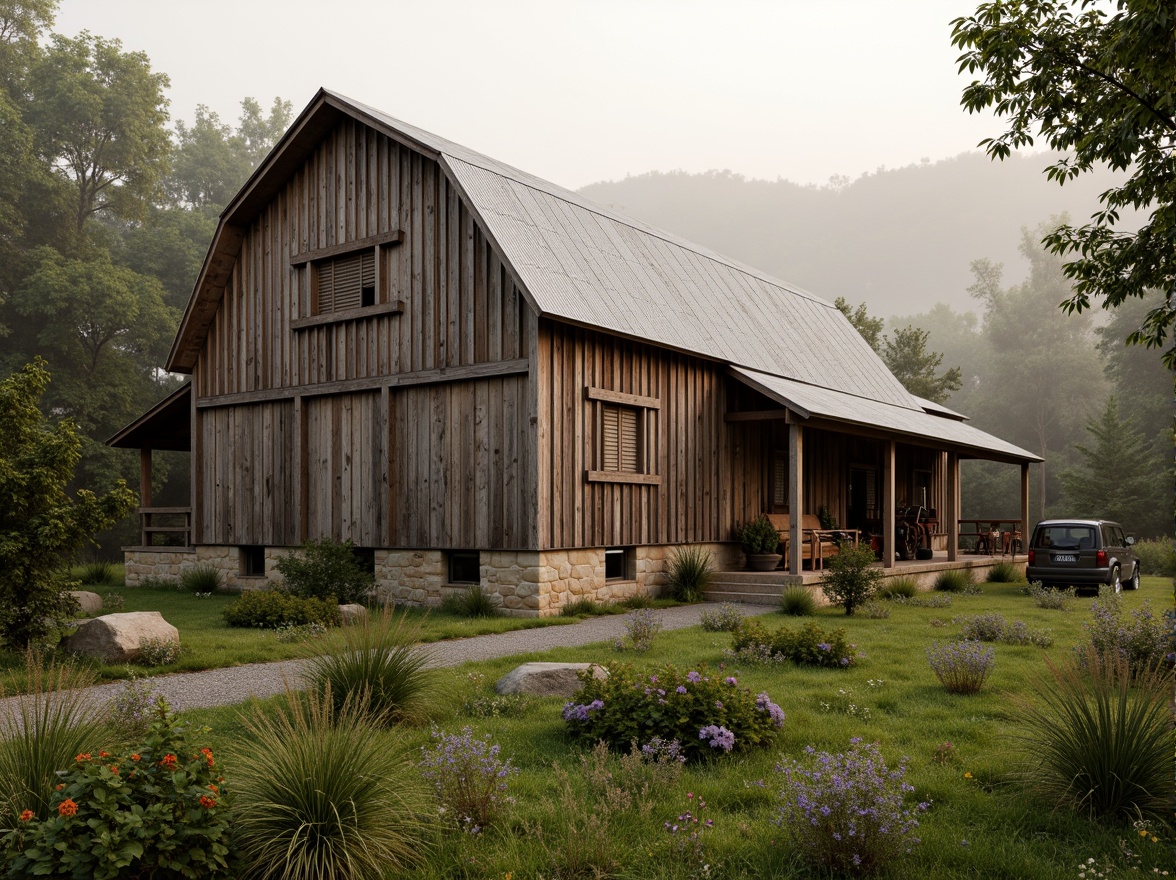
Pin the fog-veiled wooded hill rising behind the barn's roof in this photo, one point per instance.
(900, 239)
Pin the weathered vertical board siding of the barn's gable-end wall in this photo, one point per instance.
(430, 463)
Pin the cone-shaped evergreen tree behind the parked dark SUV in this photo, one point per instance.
(1115, 478)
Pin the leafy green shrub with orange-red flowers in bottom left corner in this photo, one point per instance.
(151, 811)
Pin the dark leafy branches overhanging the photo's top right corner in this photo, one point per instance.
(1101, 85)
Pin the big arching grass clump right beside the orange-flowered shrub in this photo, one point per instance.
(322, 795)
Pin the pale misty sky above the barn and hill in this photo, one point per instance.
(580, 92)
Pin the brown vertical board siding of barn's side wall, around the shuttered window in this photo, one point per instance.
(712, 474)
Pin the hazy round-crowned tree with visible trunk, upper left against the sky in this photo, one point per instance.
(101, 117)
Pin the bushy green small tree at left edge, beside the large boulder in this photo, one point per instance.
(41, 525)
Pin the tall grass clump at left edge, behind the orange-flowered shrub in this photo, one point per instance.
(46, 726)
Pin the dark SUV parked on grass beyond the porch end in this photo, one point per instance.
(1083, 554)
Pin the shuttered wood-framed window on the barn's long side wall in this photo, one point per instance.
(626, 437)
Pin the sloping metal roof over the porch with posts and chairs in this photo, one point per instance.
(931, 425)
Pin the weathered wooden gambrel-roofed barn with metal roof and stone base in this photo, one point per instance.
(479, 377)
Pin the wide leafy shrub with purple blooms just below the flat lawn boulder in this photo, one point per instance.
(707, 714)
